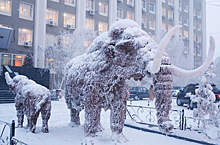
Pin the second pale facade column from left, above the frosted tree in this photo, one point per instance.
(80, 14)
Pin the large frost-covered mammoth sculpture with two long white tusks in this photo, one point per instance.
(97, 78)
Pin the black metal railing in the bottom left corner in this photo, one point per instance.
(7, 132)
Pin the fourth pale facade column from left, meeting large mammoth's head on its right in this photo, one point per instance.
(138, 12)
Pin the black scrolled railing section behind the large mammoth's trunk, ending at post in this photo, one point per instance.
(147, 115)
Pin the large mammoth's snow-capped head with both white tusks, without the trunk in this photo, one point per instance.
(127, 37)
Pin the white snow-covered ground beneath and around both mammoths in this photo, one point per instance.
(61, 133)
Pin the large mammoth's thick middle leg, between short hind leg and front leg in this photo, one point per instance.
(92, 119)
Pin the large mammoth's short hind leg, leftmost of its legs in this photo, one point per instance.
(75, 119)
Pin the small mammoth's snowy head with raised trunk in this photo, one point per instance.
(15, 83)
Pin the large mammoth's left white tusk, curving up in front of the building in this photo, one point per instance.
(154, 66)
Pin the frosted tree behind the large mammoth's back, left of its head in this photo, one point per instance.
(62, 49)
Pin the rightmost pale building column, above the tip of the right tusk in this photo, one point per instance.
(204, 48)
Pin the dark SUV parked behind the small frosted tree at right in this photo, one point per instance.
(182, 98)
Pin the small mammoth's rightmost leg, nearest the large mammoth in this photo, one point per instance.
(45, 112)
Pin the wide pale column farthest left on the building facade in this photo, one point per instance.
(39, 33)
